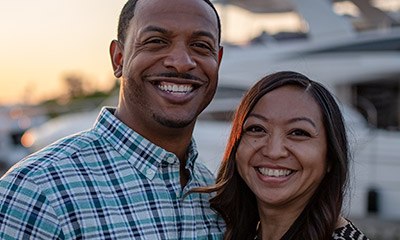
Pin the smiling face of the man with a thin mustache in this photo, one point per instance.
(171, 58)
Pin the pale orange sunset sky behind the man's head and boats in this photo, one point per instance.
(42, 41)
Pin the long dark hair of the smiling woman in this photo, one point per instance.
(237, 203)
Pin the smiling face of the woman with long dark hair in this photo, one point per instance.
(283, 150)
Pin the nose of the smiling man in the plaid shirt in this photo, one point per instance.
(180, 59)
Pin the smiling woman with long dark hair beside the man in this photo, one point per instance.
(285, 169)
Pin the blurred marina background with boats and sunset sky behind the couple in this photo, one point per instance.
(55, 75)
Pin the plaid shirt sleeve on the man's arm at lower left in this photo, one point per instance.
(25, 212)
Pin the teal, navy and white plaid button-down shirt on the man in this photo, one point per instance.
(106, 183)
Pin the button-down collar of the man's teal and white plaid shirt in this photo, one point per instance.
(140, 152)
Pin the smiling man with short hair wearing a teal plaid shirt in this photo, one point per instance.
(128, 177)
